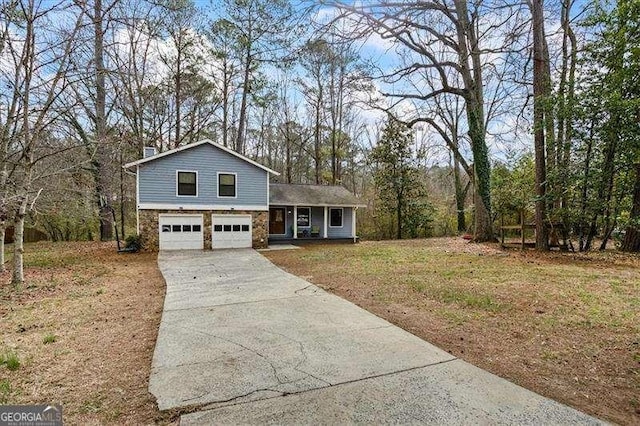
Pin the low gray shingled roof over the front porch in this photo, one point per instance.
(312, 195)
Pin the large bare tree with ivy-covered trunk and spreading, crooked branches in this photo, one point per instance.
(445, 38)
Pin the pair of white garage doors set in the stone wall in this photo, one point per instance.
(186, 231)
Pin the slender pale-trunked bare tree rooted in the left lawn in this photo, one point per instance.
(40, 53)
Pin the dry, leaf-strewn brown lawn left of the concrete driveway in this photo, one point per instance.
(84, 329)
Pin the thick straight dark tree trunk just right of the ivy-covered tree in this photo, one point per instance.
(542, 241)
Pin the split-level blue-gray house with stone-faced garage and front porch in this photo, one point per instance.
(207, 196)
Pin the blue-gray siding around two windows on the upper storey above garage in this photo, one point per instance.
(157, 180)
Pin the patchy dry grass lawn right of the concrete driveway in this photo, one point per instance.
(564, 325)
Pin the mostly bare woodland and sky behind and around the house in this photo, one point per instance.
(446, 116)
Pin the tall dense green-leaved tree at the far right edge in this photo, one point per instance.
(611, 99)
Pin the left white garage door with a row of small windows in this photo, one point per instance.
(181, 232)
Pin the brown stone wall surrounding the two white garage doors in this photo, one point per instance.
(149, 227)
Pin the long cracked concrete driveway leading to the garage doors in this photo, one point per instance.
(242, 341)
